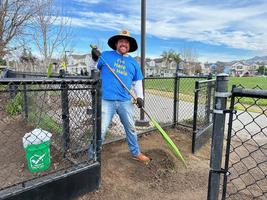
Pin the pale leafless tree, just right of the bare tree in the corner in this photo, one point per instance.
(51, 32)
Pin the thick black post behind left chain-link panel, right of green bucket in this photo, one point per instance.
(65, 116)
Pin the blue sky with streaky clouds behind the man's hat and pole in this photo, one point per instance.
(216, 30)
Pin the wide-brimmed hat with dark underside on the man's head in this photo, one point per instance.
(123, 34)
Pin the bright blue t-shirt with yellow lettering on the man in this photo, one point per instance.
(127, 69)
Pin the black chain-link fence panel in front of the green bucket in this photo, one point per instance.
(46, 126)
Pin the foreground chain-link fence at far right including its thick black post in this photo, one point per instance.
(244, 175)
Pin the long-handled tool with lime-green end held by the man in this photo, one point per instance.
(167, 139)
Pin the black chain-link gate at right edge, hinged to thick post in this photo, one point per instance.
(246, 150)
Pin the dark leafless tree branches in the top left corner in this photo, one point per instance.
(14, 15)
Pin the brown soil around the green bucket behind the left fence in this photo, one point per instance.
(13, 163)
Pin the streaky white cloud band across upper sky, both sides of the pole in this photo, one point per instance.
(227, 23)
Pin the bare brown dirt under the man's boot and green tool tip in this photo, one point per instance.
(163, 178)
